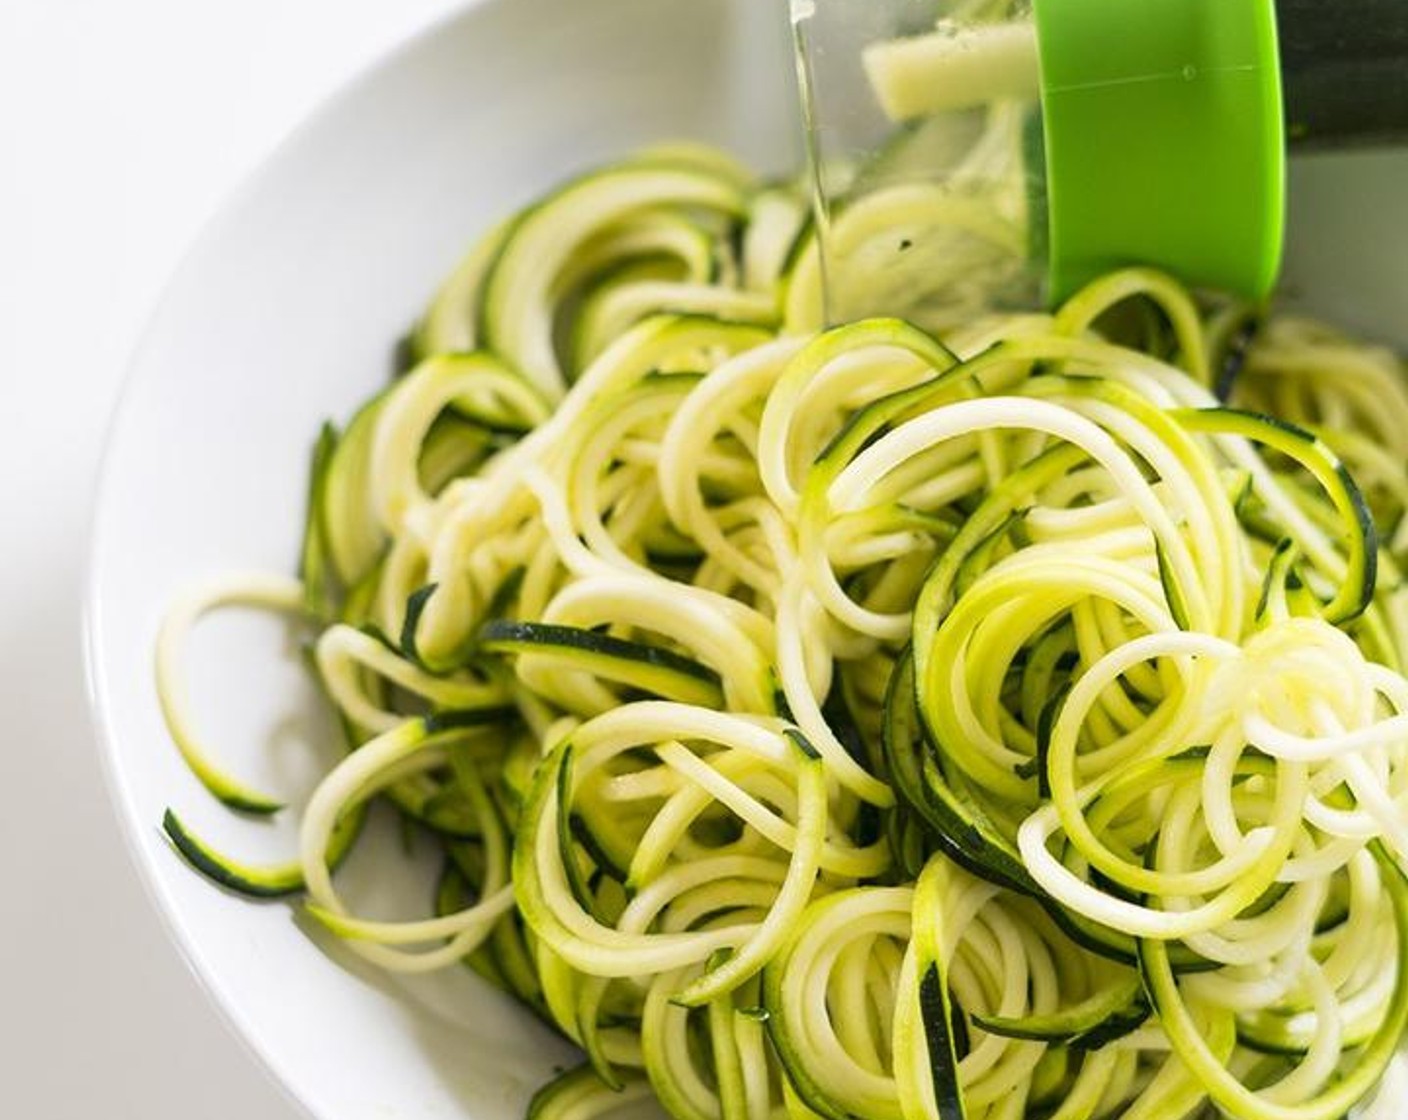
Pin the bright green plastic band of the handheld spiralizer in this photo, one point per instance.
(1165, 140)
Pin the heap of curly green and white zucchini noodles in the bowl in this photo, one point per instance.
(867, 723)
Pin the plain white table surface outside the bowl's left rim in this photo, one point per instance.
(123, 125)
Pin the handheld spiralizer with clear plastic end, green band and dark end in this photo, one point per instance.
(1029, 147)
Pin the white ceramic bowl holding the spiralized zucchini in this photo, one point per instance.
(287, 313)
